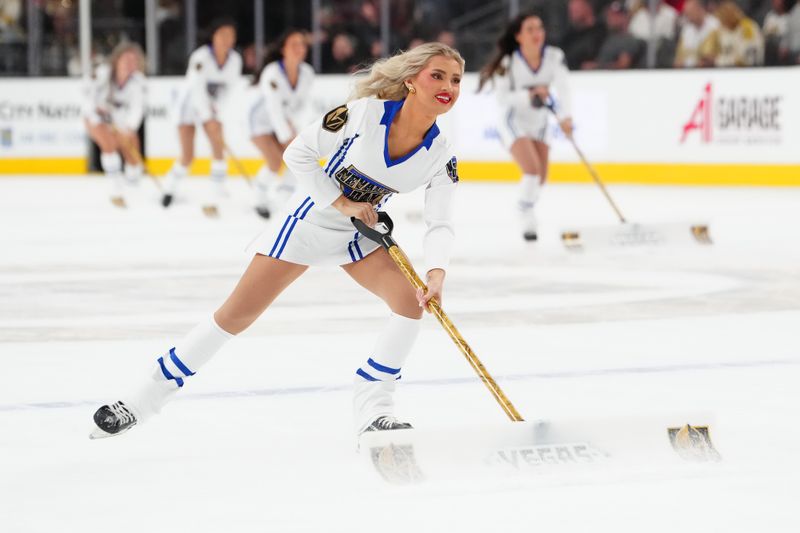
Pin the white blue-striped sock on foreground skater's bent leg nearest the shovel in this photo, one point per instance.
(375, 379)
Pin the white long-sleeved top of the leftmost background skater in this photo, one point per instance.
(123, 105)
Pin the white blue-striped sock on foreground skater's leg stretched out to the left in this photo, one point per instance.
(179, 364)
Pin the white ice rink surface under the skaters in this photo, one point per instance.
(263, 441)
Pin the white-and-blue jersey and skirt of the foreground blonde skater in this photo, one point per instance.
(353, 141)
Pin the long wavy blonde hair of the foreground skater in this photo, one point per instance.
(385, 79)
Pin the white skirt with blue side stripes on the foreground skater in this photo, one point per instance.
(293, 238)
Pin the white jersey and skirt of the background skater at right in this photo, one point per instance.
(518, 116)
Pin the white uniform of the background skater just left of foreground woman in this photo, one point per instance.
(278, 107)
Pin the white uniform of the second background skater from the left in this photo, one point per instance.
(207, 86)
